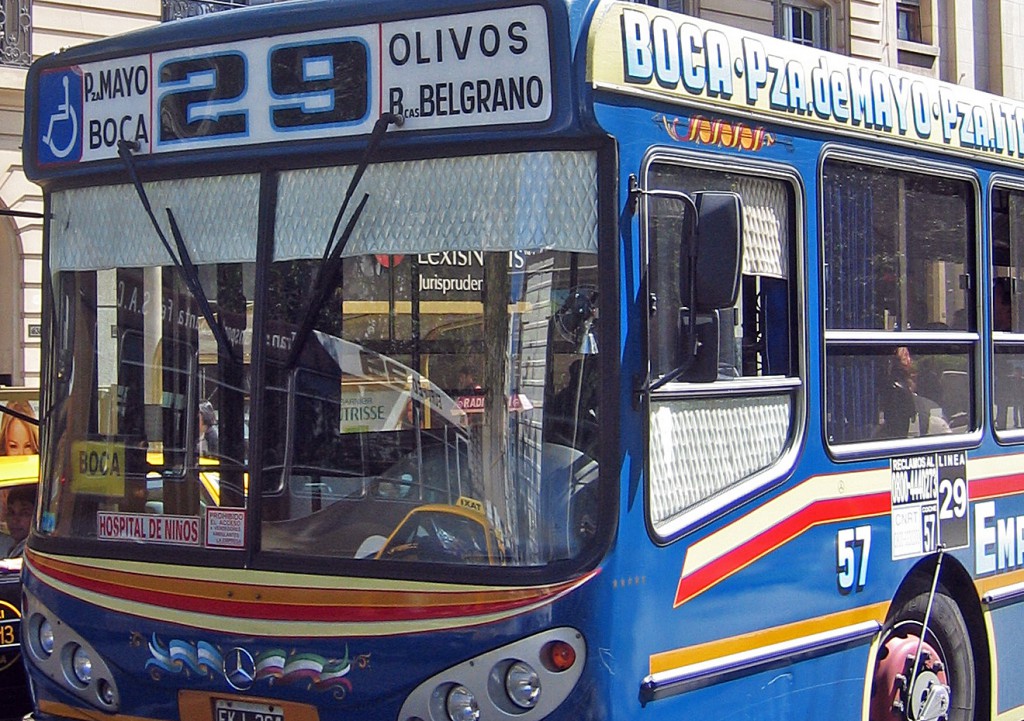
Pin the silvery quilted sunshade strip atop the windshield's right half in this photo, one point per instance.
(516, 202)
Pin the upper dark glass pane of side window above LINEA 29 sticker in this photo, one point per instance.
(897, 248)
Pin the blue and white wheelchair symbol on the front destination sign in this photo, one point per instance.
(61, 117)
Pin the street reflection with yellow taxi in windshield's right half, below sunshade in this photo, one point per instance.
(441, 413)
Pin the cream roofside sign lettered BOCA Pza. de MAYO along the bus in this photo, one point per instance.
(643, 52)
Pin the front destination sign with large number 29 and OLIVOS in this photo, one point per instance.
(476, 69)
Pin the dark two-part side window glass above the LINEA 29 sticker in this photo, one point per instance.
(899, 347)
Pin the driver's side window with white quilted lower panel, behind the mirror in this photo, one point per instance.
(734, 409)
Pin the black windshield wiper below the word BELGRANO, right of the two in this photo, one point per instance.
(331, 263)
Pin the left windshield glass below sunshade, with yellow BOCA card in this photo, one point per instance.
(138, 374)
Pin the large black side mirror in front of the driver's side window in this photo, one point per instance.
(716, 249)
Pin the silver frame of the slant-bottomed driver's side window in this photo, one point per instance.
(795, 386)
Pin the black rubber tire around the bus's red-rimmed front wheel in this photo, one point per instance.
(948, 633)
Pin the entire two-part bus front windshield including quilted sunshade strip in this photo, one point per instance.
(431, 397)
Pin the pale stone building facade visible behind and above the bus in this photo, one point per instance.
(976, 44)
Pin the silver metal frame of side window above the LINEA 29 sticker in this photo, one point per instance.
(884, 448)
